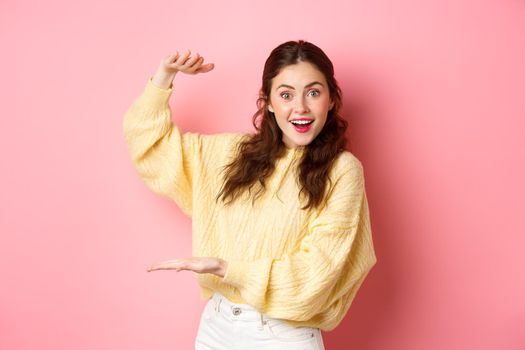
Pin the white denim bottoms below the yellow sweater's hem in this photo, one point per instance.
(229, 326)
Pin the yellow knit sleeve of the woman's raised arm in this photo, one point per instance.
(165, 158)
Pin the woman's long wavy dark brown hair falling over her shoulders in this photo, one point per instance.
(258, 153)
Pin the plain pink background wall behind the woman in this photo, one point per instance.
(435, 95)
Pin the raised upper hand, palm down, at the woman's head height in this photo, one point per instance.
(185, 63)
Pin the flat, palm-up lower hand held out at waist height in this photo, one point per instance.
(215, 266)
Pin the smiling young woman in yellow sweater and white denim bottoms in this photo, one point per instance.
(281, 237)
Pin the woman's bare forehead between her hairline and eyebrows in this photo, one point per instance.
(298, 75)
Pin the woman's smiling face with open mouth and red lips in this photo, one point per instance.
(300, 100)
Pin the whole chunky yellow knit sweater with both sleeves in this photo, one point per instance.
(304, 266)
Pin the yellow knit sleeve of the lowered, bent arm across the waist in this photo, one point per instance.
(331, 263)
